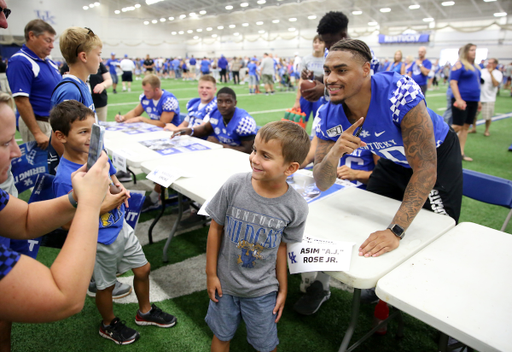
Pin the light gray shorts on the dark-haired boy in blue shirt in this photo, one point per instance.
(123, 254)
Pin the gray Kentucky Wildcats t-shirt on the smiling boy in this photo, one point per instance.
(254, 227)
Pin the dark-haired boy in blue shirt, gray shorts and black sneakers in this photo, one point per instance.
(118, 249)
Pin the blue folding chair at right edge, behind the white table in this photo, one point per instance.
(488, 189)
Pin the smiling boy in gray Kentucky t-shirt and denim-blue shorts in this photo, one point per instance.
(253, 216)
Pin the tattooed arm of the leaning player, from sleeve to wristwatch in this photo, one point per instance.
(420, 150)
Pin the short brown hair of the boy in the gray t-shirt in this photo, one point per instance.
(294, 140)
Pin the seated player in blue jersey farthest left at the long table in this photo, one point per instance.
(161, 106)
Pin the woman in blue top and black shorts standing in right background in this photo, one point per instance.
(465, 84)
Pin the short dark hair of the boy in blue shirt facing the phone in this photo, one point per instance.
(64, 114)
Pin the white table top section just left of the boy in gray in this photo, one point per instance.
(211, 169)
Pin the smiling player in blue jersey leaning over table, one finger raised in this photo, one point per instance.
(420, 156)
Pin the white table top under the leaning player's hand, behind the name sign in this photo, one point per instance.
(352, 214)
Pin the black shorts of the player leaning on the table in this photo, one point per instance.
(390, 180)
